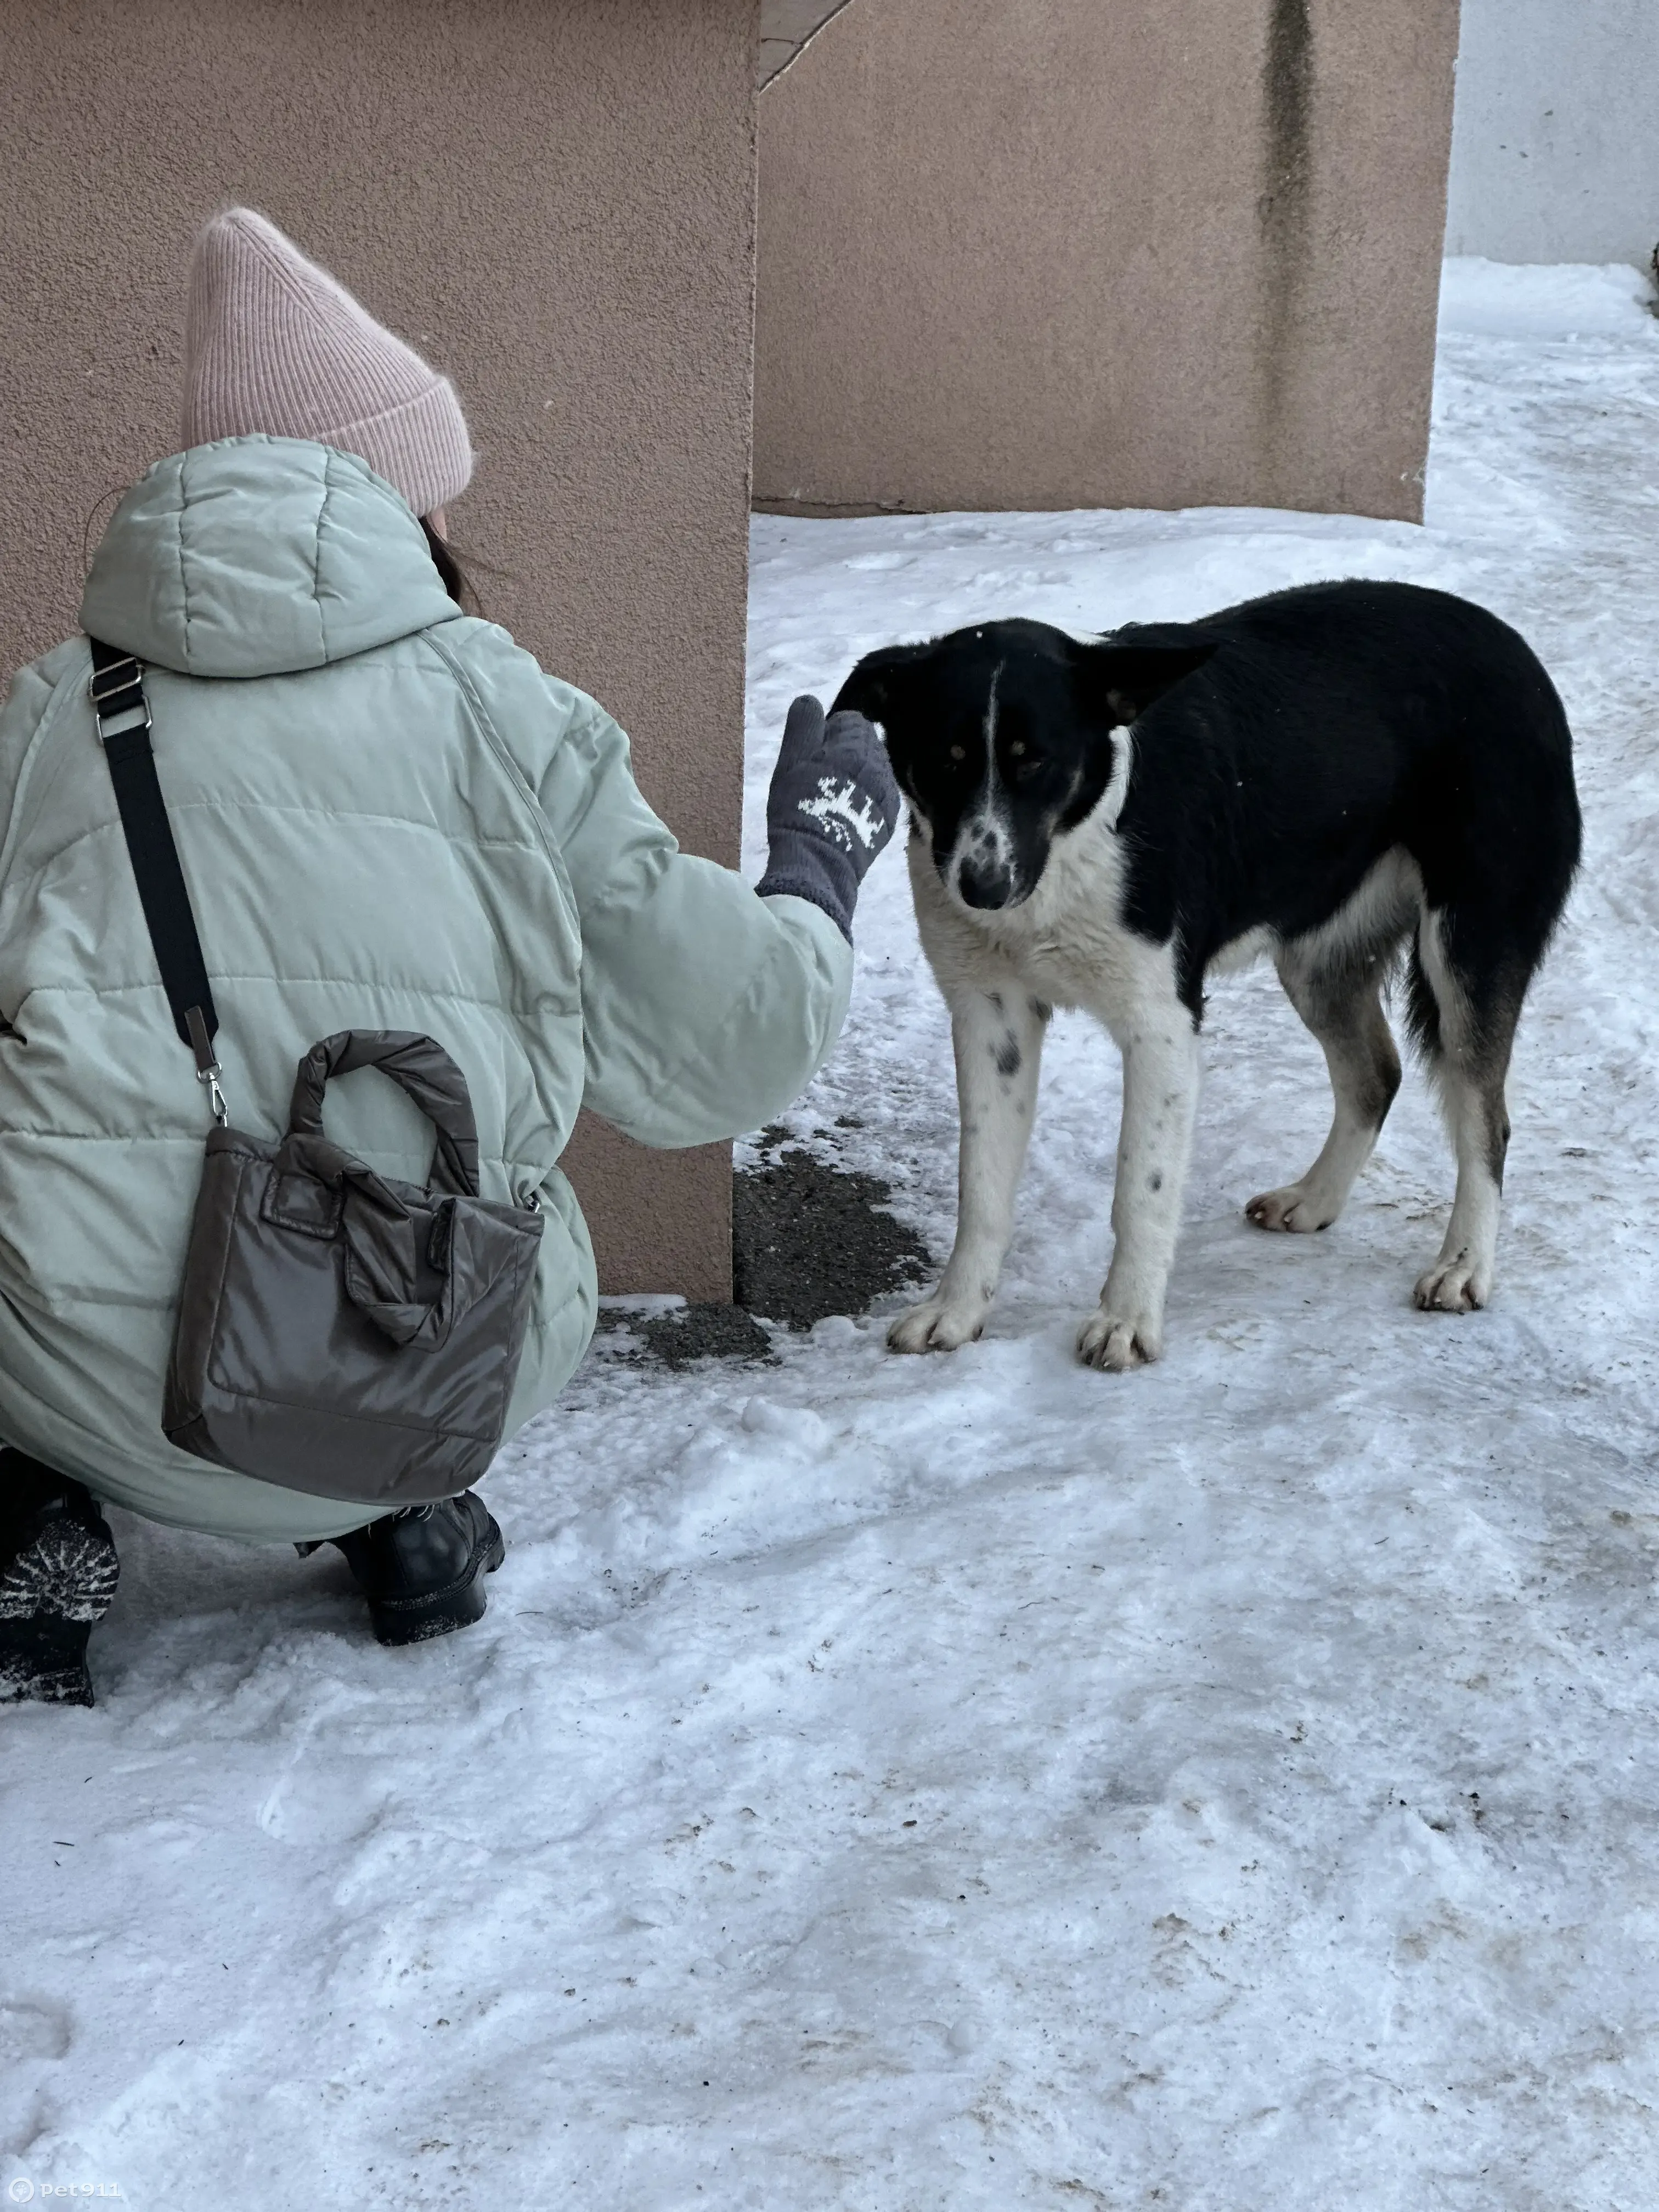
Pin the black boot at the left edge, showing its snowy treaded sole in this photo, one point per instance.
(59, 1574)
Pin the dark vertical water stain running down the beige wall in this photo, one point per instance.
(1284, 207)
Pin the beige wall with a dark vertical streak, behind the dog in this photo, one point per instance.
(1056, 253)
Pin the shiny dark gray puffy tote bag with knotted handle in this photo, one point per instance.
(342, 1333)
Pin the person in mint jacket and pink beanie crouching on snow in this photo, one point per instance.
(390, 826)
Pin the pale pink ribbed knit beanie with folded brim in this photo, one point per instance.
(273, 344)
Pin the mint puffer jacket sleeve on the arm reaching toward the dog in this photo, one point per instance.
(707, 1008)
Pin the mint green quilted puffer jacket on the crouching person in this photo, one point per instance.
(390, 820)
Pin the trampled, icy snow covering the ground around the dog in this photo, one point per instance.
(979, 1782)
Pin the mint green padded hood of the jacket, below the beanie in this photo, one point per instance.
(260, 556)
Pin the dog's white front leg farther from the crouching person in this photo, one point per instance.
(1160, 1103)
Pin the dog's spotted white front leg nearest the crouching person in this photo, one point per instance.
(999, 1052)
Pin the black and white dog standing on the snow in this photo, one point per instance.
(1328, 778)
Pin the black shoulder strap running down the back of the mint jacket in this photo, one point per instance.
(125, 731)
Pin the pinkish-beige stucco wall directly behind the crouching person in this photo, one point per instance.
(554, 200)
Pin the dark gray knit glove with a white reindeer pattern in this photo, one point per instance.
(831, 811)
